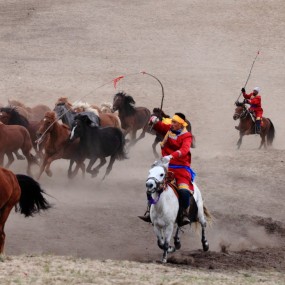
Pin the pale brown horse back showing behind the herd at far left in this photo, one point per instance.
(34, 113)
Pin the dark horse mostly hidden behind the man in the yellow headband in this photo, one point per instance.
(158, 138)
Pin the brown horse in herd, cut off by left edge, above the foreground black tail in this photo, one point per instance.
(12, 138)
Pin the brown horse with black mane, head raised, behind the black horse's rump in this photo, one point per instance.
(132, 118)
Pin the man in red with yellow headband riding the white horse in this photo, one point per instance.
(175, 149)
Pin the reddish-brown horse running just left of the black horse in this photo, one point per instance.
(58, 145)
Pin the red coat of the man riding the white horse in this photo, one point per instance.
(179, 147)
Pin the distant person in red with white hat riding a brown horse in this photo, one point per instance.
(255, 105)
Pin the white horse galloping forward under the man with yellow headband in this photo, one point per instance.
(163, 199)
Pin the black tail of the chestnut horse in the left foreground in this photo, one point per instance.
(32, 200)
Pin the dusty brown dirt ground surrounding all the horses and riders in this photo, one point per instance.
(202, 52)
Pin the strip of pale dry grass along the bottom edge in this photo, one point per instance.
(48, 269)
